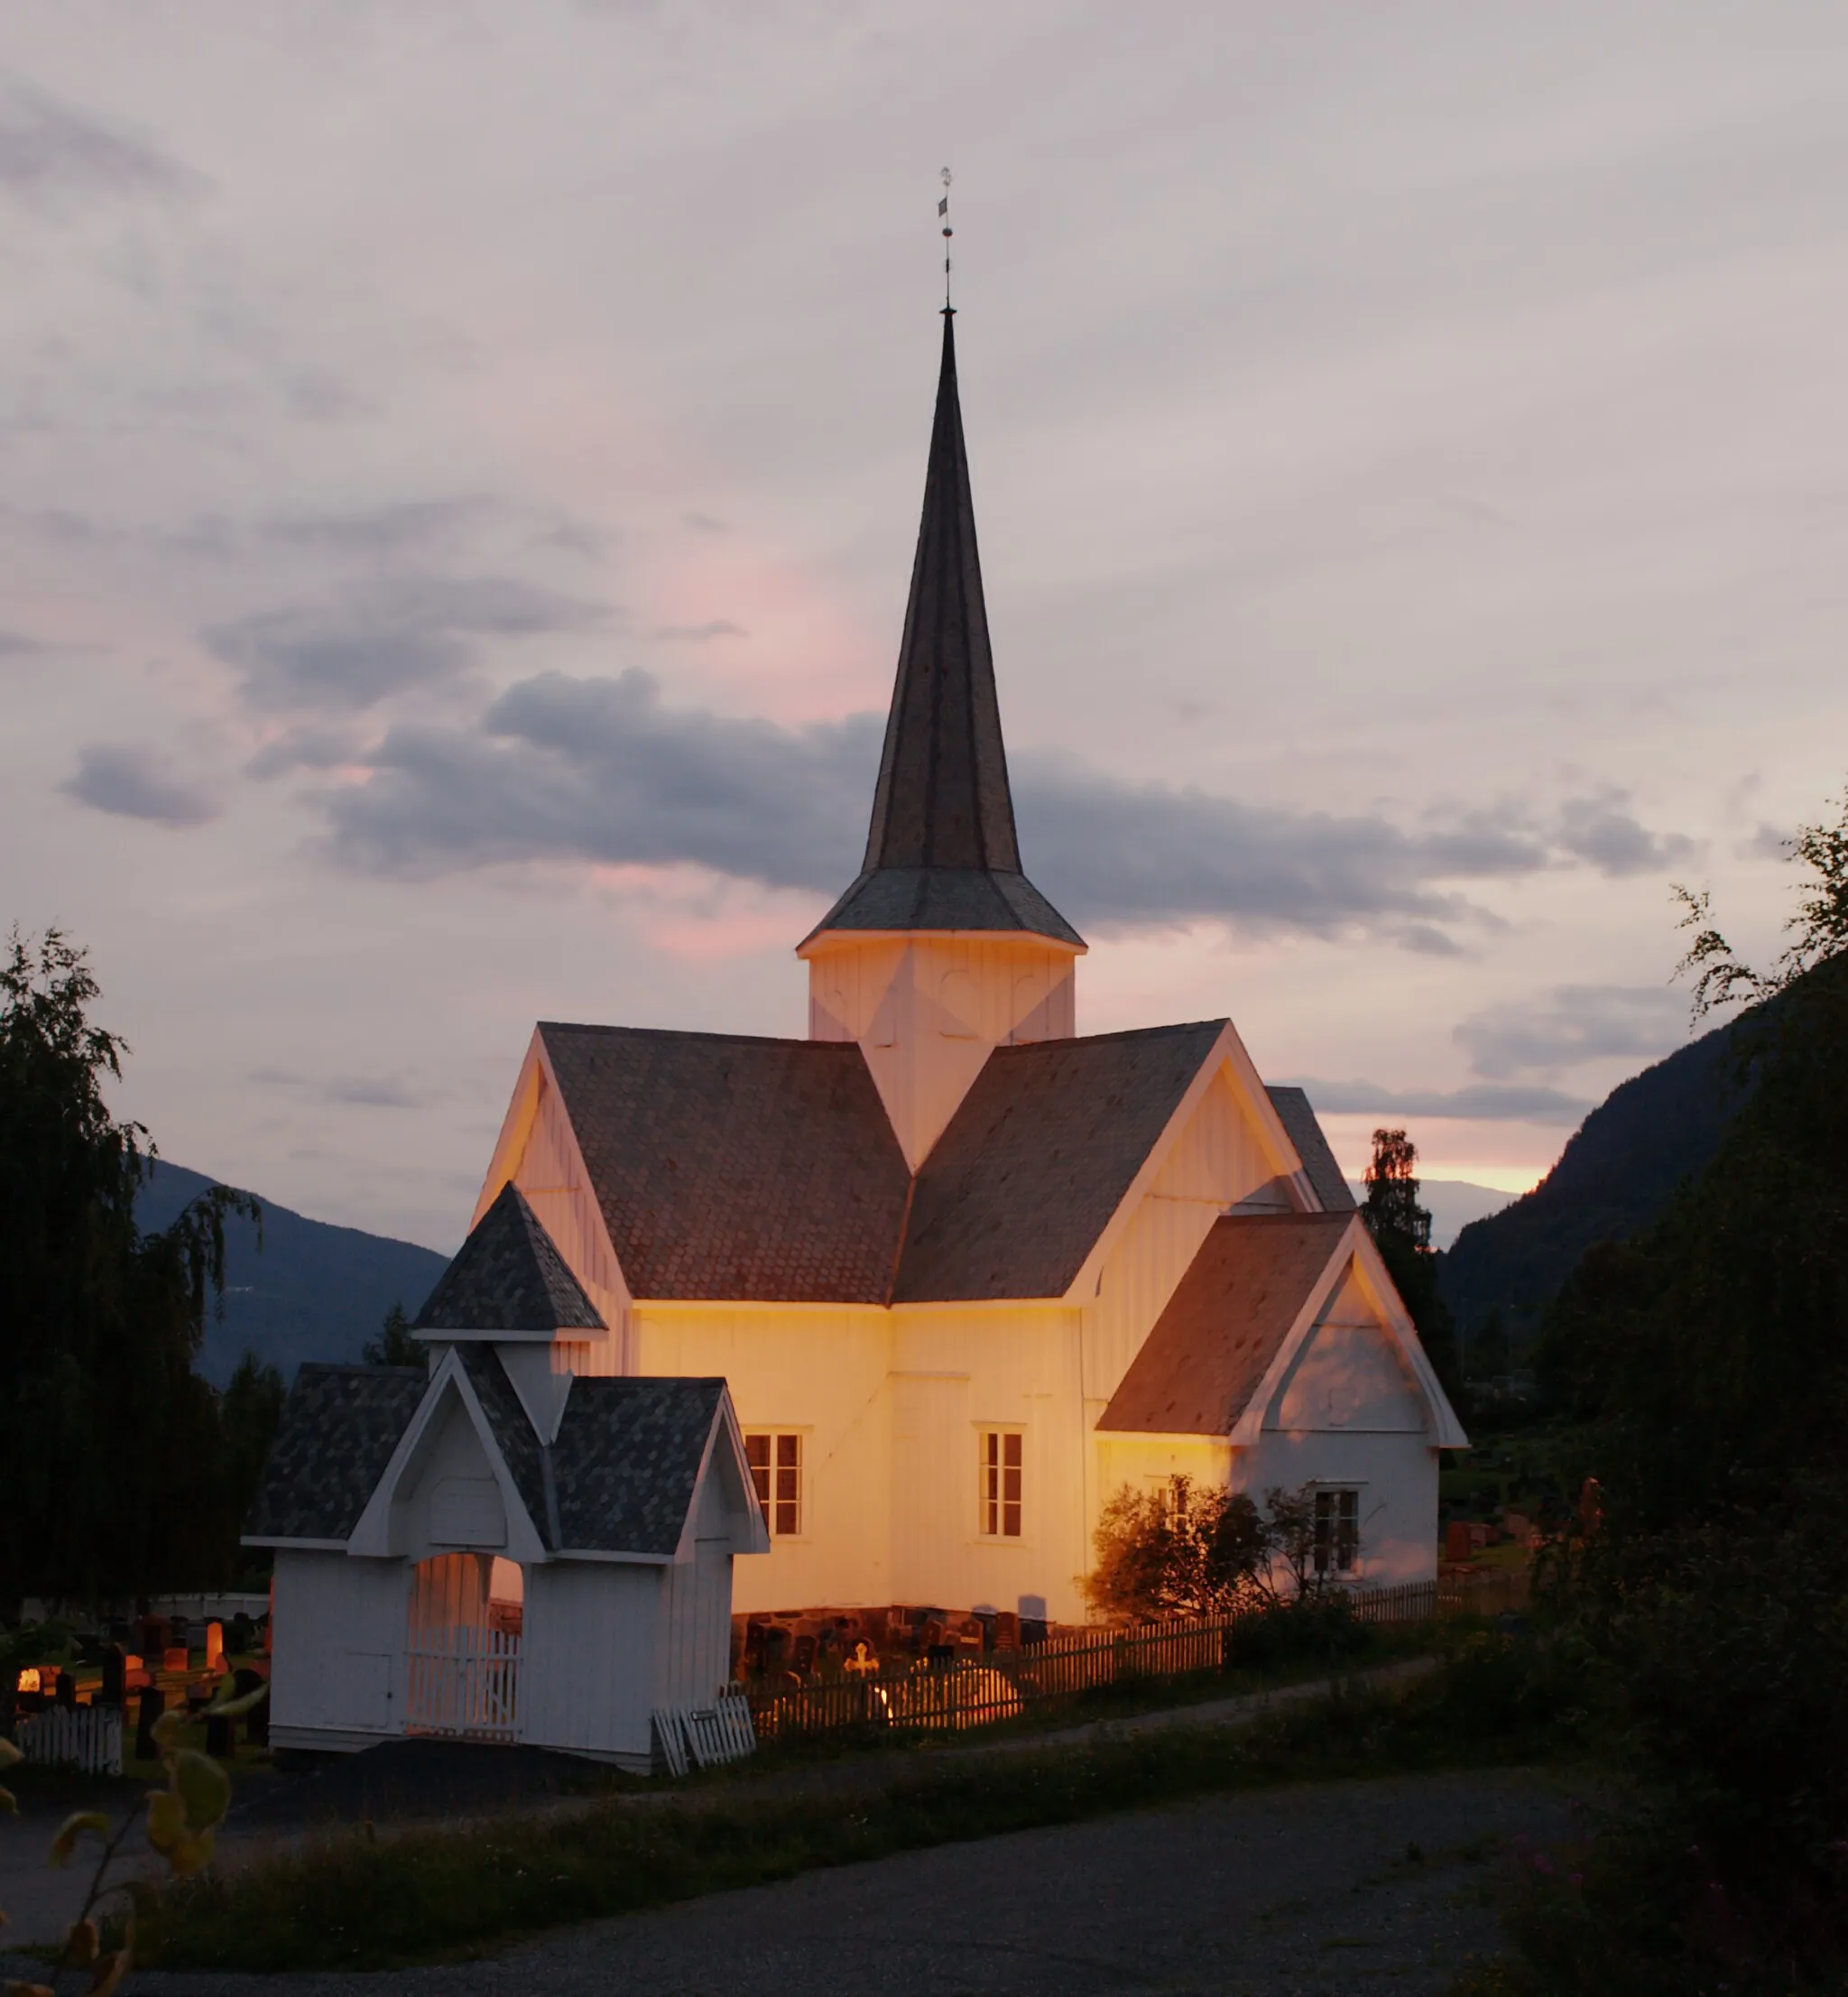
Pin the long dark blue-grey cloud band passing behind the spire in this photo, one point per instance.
(604, 772)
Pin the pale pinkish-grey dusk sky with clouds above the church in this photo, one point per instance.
(461, 468)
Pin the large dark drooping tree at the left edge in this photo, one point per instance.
(123, 1473)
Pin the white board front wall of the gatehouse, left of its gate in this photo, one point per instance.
(339, 1643)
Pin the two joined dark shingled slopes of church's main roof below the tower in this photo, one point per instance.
(746, 1169)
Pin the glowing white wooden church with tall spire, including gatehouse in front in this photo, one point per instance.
(924, 1289)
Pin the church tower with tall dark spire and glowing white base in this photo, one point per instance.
(942, 950)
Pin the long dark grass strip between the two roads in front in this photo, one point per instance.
(445, 1894)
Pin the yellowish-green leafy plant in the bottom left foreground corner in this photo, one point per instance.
(181, 1820)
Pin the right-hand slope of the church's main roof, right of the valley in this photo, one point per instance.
(1038, 1157)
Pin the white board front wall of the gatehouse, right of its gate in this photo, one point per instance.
(590, 1653)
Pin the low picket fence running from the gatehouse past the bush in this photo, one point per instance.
(978, 1690)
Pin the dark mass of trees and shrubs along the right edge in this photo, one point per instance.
(1709, 1359)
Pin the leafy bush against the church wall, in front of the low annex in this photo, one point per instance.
(1190, 1551)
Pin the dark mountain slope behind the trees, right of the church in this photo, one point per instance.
(1613, 1179)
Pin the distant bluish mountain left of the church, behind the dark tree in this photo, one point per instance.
(315, 1291)
